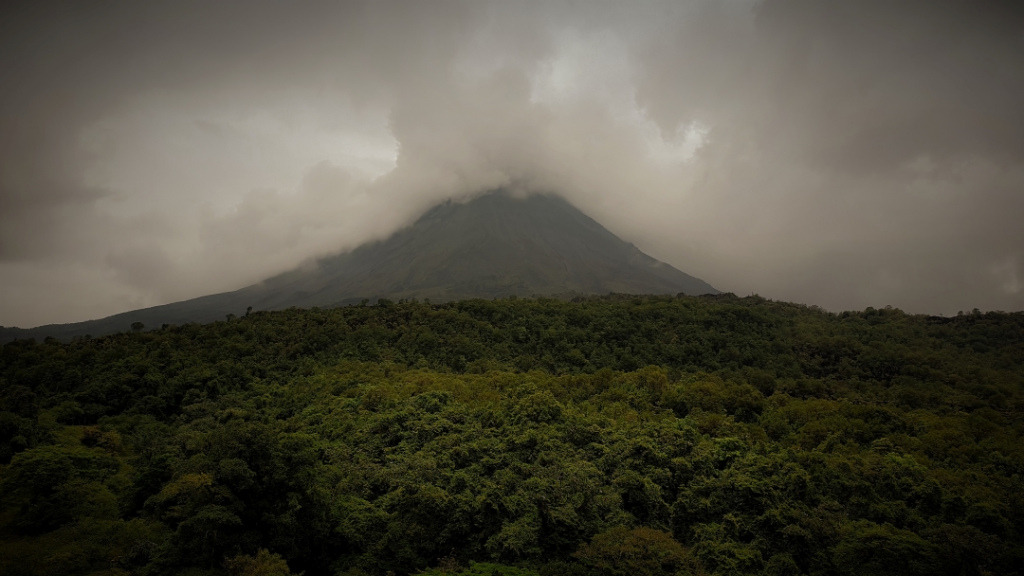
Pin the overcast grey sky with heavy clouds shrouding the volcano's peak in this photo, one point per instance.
(856, 154)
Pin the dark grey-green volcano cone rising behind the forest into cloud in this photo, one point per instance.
(495, 245)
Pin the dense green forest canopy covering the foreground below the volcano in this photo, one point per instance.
(609, 436)
